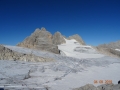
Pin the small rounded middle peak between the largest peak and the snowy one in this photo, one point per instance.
(58, 39)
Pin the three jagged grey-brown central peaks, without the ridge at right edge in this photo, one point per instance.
(41, 39)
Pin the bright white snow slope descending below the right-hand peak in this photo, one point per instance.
(73, 49)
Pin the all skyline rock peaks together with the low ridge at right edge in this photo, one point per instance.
(41, 39)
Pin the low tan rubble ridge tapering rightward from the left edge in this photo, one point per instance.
(7, 54)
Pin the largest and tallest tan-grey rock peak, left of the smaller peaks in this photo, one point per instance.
(41, 39)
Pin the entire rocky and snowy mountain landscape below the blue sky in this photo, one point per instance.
(43, 61)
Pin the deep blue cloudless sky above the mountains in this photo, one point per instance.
(96, 21)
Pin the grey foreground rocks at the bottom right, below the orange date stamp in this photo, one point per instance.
(101, 87)
